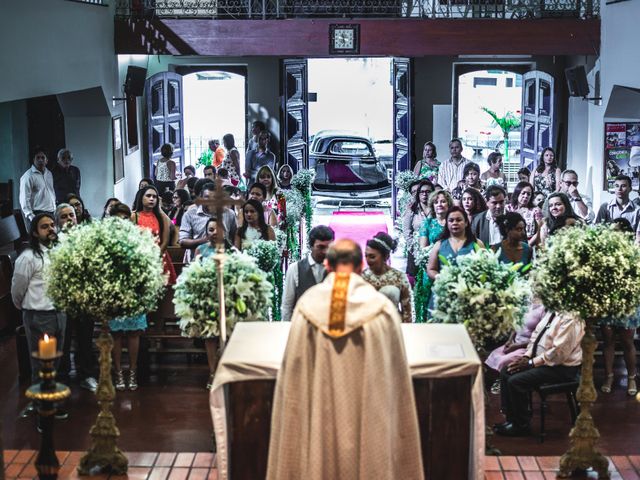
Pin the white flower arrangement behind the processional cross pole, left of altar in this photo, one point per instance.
(247, 295)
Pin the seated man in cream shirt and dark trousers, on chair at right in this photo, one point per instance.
(553, 355)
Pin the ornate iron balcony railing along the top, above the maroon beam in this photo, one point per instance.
(356, 9)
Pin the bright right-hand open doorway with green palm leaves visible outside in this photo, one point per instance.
(482, 96)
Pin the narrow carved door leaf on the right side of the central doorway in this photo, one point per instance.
(403, 131)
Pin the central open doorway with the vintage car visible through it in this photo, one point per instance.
(351, 129)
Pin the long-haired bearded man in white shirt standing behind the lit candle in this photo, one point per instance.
(28, 288)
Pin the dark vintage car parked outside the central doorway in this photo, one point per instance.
(346, 167)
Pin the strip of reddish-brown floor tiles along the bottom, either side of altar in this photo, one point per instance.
(19, 464)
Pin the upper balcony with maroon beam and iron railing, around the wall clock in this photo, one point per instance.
(386, 27)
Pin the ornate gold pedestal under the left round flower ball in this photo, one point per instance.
(104, 455)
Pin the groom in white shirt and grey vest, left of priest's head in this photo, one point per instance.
(307, 272)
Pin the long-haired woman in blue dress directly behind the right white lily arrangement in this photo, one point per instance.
(456, 240)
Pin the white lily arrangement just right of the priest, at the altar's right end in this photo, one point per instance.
(490, 298)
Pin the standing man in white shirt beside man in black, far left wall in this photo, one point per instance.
(37, 194)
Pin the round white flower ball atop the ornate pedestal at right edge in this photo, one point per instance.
(589, 272)
